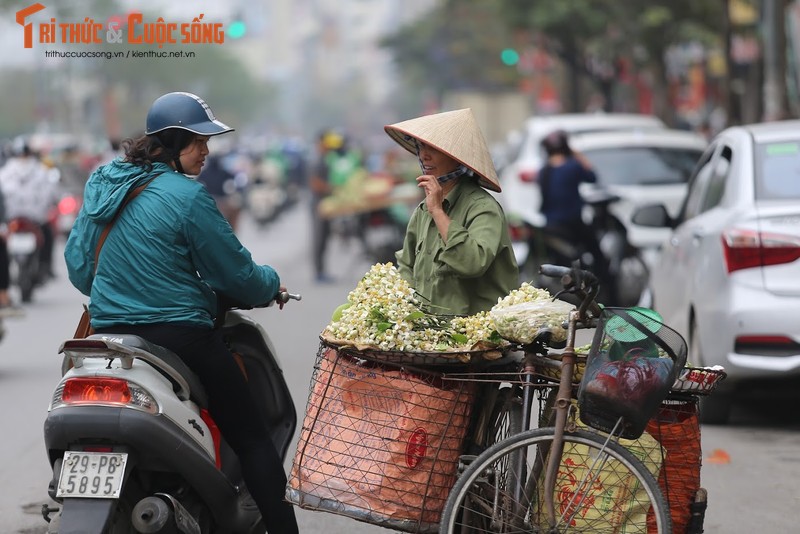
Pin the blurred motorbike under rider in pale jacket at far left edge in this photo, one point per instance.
(25, 240)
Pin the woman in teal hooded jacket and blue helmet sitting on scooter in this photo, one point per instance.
(168, 255)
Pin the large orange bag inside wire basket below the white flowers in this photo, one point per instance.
(379, 444)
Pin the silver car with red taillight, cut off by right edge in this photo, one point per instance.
(729, 277)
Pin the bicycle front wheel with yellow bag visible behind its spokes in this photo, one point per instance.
(600, 488)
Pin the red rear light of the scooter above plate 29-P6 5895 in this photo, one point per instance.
(103, 392)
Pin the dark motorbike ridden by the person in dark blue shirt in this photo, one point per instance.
(535, 245)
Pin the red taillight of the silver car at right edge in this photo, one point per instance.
(745, 249)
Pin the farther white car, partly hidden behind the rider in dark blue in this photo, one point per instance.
(520, 197)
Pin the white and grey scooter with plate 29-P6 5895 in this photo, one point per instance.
(133, 448)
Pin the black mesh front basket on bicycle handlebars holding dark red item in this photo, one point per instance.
(630, 369)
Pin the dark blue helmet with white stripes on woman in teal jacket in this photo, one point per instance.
(184, 111)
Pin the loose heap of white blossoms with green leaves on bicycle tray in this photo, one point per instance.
(384, 312)
